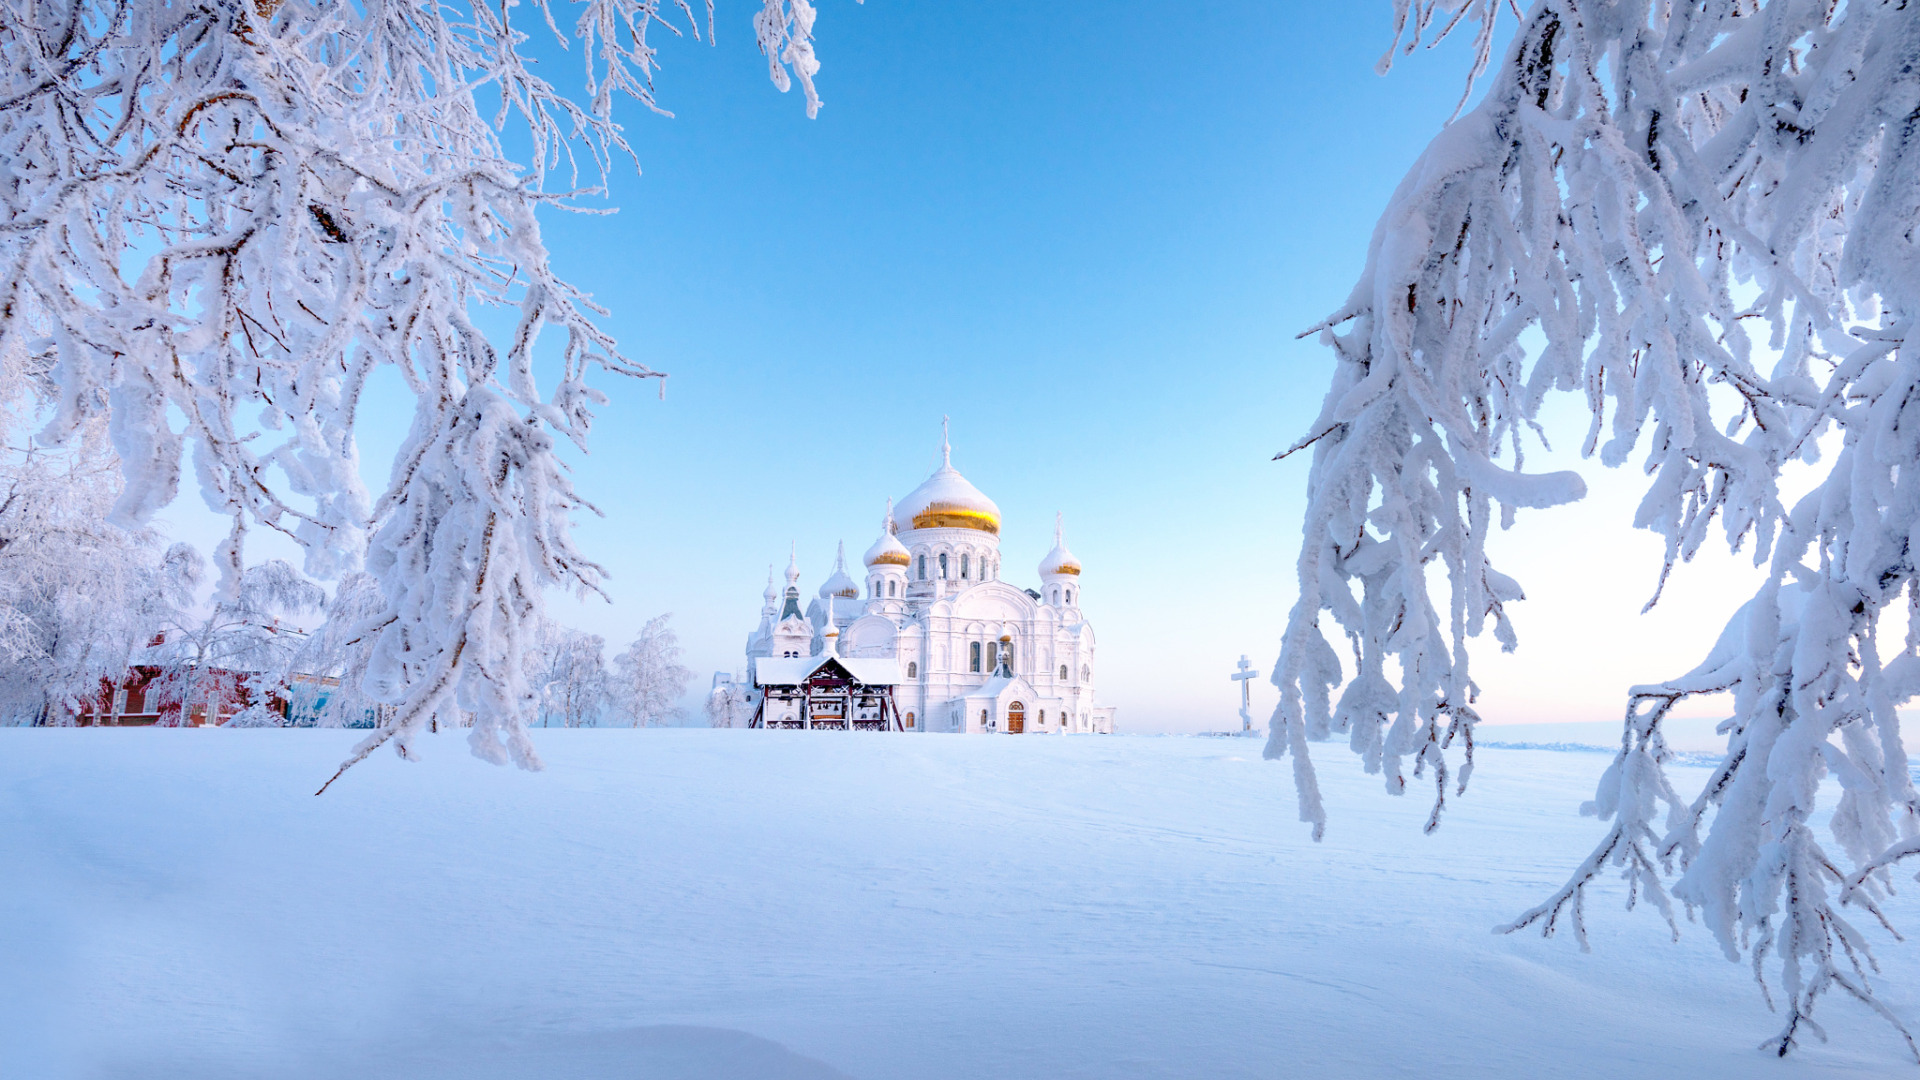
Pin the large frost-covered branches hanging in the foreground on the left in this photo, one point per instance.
(224, 218)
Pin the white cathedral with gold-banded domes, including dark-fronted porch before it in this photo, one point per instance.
(940, 645)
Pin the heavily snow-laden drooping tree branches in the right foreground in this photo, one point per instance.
(1704, 216)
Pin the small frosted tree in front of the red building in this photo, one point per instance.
(247, 635)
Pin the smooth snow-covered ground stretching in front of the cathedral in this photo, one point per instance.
(731, 904)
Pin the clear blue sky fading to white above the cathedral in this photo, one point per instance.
(1090, 235)
